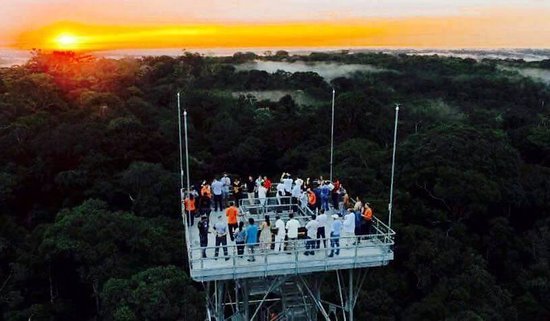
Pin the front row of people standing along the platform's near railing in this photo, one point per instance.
(283, 237)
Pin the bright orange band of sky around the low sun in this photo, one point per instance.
(494, 27)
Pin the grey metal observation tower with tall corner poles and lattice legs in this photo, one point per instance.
(287, 285)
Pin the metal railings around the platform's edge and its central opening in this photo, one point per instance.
(381, 240)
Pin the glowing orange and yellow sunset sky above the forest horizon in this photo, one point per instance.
(222, 25)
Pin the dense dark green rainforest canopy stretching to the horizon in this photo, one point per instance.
(90, 225)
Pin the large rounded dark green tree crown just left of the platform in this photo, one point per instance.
(101, 244)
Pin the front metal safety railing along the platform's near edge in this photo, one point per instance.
(373, 250)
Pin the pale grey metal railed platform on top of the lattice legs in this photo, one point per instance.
(374, 250)
